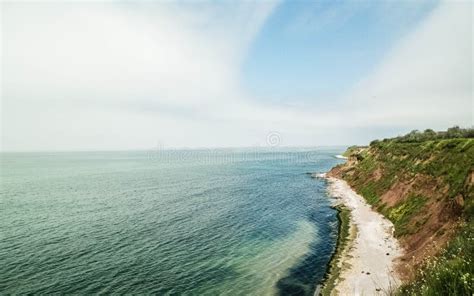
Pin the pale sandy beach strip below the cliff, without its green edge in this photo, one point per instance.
(367, 265)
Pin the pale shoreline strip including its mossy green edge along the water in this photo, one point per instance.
(363, 262)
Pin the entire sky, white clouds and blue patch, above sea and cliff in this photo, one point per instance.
(137, 74)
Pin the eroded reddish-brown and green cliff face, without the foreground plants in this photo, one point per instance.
(426, 189)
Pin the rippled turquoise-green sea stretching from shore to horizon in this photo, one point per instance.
(221, 222)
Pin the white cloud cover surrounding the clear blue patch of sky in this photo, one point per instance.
(123, 76)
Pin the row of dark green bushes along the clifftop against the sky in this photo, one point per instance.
(428, 135)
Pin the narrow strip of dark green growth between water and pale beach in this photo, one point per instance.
(334, 269)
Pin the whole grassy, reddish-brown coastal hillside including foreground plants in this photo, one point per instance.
(424, 183)
